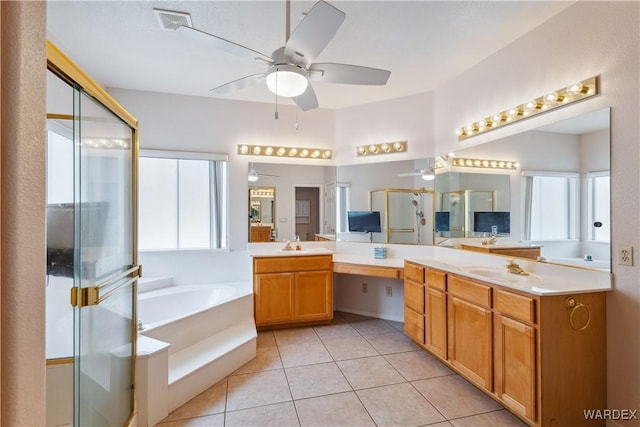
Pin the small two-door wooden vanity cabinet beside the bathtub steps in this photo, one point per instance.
(293, 289)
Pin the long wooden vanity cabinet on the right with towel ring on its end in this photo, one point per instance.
(543, 358)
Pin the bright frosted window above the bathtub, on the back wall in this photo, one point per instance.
(182, 200)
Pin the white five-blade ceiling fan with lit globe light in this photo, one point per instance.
(290, 68)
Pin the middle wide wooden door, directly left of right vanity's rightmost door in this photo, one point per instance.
(470, 340)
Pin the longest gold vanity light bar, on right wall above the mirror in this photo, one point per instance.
(561, 97)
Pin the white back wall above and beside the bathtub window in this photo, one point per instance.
(175, 122)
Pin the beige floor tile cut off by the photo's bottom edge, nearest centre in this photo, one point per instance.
(342, 409)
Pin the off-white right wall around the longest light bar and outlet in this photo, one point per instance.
(587, 39)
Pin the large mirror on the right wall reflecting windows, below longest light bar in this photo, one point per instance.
(557, 199)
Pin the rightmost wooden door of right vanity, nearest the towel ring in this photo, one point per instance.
(515, 365)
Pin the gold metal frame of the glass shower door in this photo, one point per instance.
(63, 67)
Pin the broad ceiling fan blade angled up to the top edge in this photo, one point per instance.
(313, 33)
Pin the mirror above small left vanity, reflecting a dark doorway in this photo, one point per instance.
(288, 201)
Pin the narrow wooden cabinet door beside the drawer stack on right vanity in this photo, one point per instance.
(436, 322)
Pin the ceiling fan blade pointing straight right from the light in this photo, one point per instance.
(348, 74)
